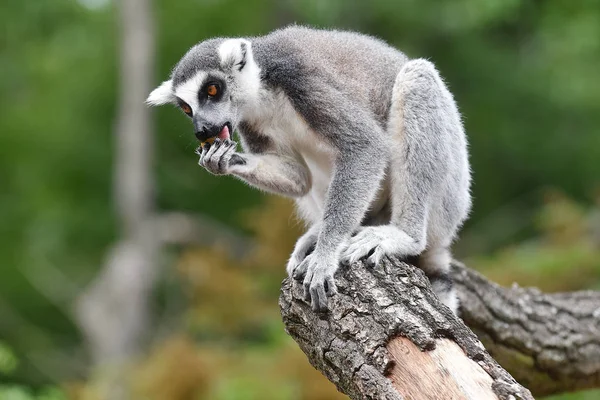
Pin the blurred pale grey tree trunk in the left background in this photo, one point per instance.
(113, 313)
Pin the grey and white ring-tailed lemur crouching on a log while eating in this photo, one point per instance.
(369, 143)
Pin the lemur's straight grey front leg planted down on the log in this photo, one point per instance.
(359, 168)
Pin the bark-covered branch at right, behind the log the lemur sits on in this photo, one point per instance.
(549, 342)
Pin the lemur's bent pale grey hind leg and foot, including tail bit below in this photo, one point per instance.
(429, 178)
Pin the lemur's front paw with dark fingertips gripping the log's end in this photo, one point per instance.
(318, 280)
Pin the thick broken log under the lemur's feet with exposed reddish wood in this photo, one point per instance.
(387, 336)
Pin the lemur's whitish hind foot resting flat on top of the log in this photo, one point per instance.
(375, 242)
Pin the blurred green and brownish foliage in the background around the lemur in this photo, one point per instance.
(524, 74)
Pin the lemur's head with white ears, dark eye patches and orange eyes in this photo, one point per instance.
(213, 83)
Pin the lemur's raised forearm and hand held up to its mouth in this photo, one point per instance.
(279, 174)
